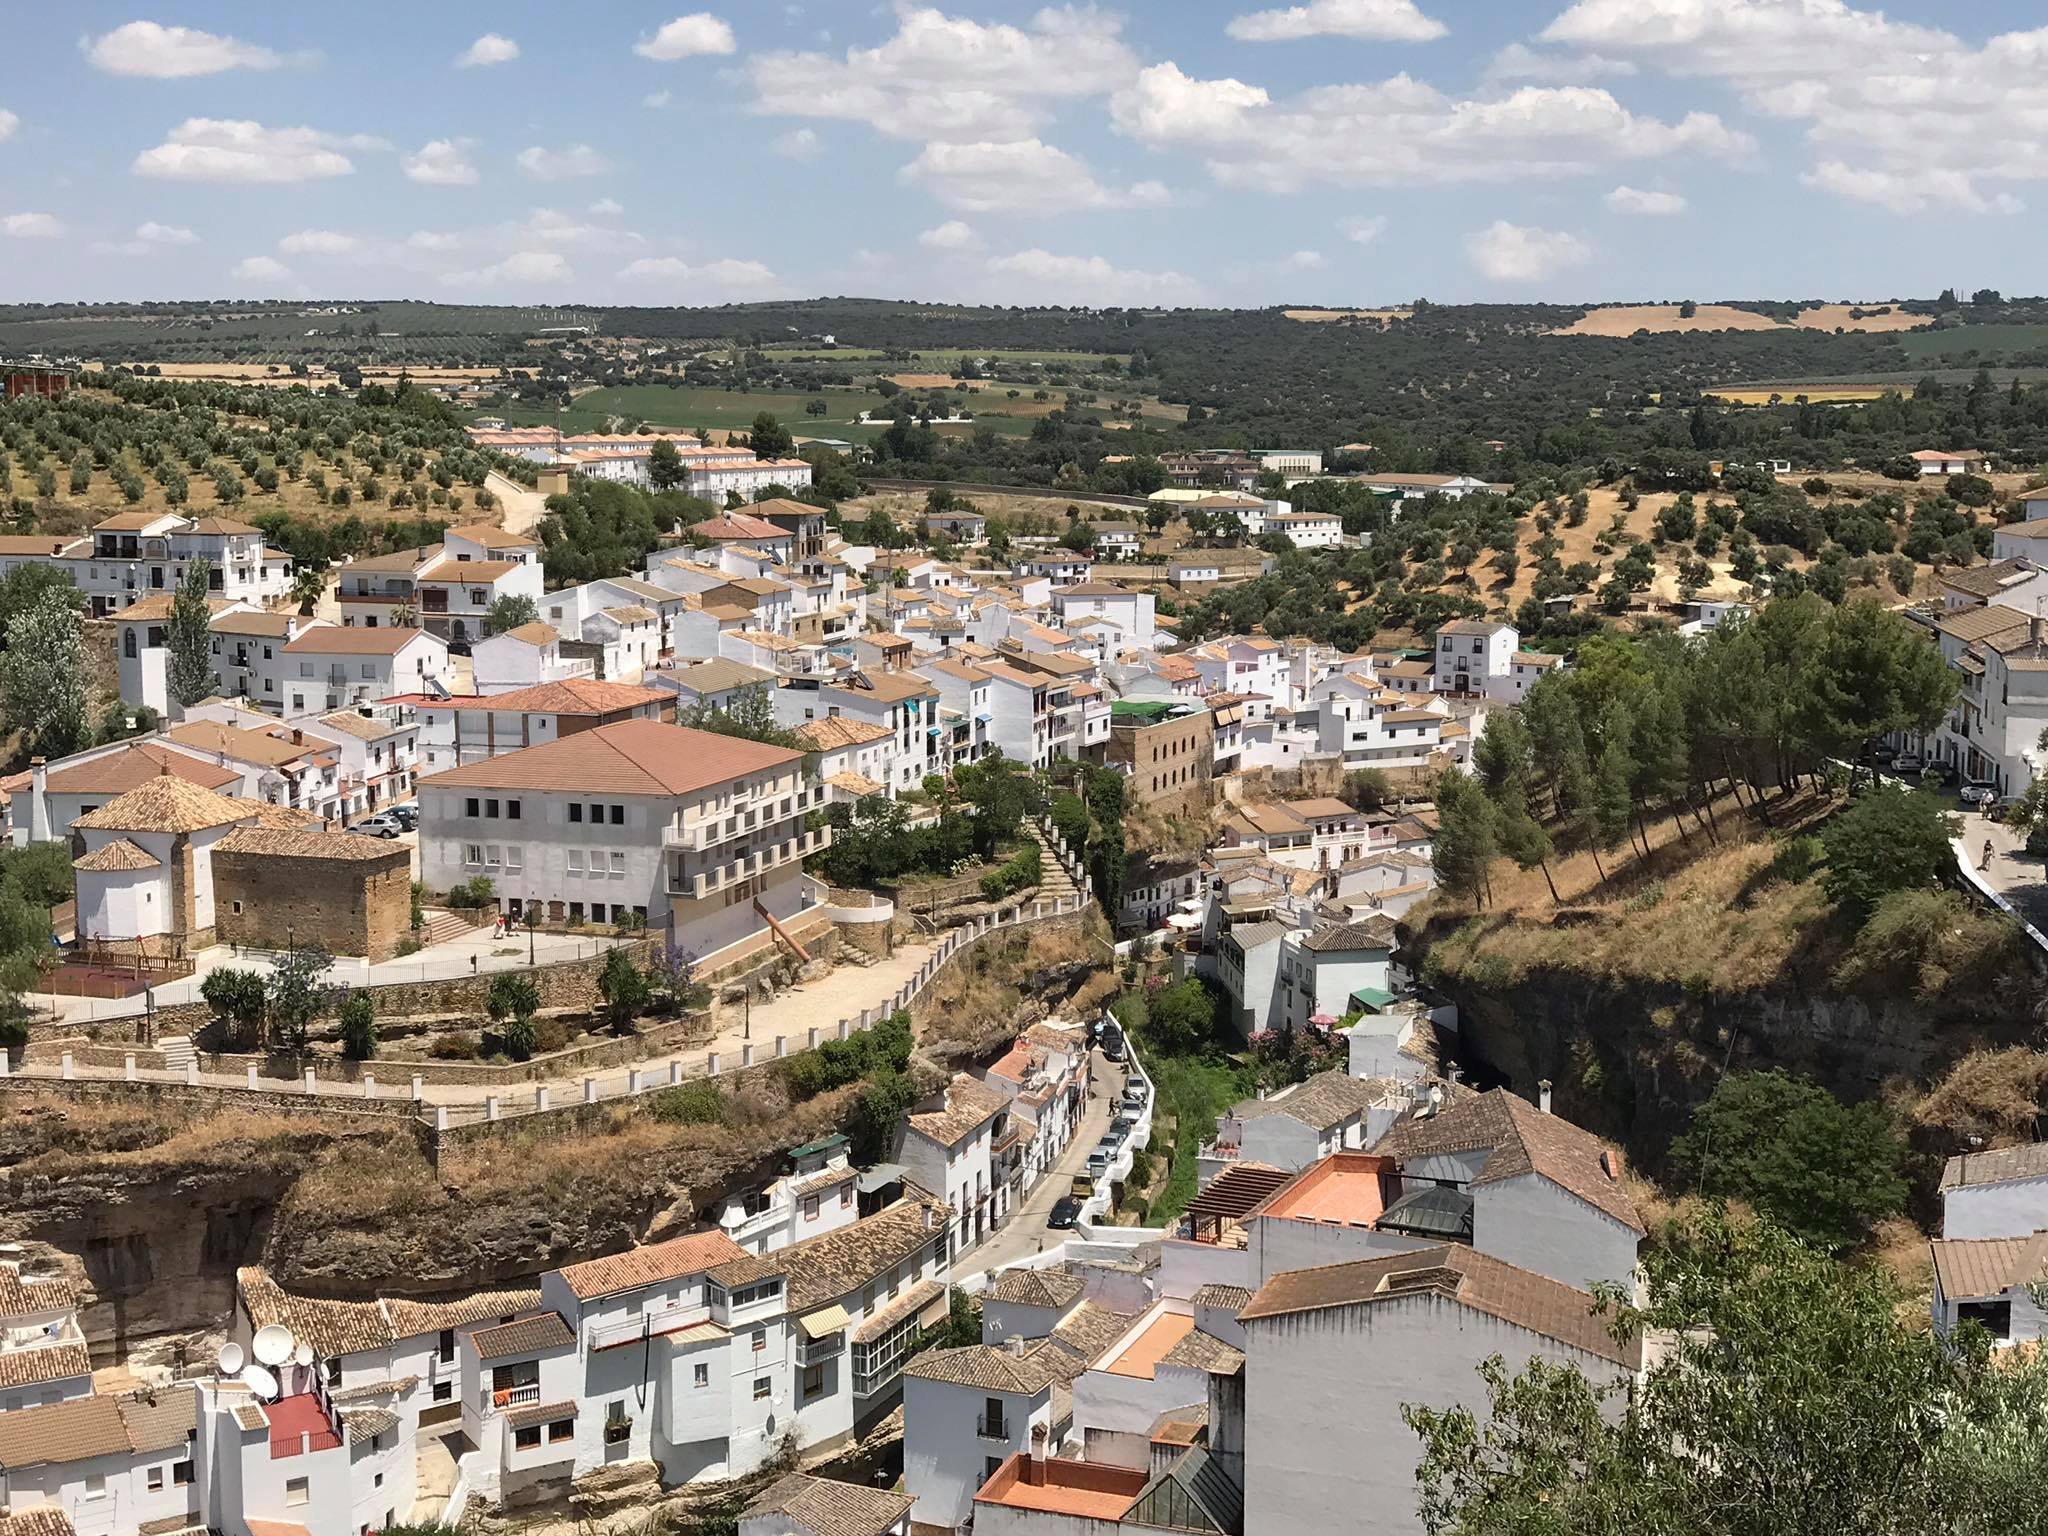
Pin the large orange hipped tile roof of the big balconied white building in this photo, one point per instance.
(624, 759)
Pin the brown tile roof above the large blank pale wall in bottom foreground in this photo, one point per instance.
(1451, 1275)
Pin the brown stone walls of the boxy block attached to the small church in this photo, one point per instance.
(353, 906)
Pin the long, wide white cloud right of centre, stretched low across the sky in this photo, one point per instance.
(1402, 132)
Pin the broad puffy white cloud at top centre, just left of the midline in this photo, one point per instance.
(953, 79)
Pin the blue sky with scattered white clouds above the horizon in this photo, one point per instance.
(1158, 153)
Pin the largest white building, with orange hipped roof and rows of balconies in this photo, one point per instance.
(693, 833)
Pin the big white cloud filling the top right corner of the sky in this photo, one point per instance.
(1897, 116)
